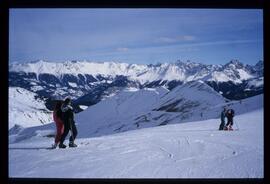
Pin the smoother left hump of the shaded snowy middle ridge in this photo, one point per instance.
(120, 112)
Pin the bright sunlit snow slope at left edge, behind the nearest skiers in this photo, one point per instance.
(25, 110)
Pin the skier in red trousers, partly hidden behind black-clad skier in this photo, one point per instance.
(57, 117)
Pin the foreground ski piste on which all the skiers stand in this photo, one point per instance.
(193, 149)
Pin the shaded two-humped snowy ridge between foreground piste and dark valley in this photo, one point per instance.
(135, 109)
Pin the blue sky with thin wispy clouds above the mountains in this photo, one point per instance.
(142, 36)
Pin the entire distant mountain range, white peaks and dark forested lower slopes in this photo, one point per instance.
(89, 82)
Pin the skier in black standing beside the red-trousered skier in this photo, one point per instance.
(69, 124)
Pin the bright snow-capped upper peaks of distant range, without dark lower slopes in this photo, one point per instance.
(183, 71)
